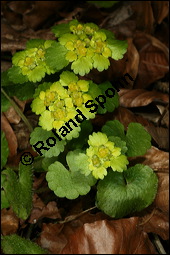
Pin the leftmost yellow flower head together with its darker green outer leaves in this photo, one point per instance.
(30, 64)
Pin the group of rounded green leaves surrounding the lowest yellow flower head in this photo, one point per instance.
(119, 193)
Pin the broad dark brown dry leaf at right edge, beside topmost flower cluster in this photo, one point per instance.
(154, 57)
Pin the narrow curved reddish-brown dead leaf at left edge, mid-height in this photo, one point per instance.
(10, 136)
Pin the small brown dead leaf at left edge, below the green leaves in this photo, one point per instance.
(9, 222)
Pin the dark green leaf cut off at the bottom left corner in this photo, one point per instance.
(14, 244)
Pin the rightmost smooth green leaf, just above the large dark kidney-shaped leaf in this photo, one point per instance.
(137, 139)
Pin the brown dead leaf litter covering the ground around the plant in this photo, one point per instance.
(147, 62)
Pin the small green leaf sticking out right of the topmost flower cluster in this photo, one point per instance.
(117, 47)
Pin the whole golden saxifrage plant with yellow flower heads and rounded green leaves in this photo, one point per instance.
(75, 155)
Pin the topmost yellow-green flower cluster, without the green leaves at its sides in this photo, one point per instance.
(87, 47)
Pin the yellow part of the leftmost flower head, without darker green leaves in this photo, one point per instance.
(32, 62)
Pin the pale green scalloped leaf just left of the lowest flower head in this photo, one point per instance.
(69, 184)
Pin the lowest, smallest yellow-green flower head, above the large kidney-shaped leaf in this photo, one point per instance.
(102, 154)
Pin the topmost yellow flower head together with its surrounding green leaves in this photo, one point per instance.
(85, 46)
